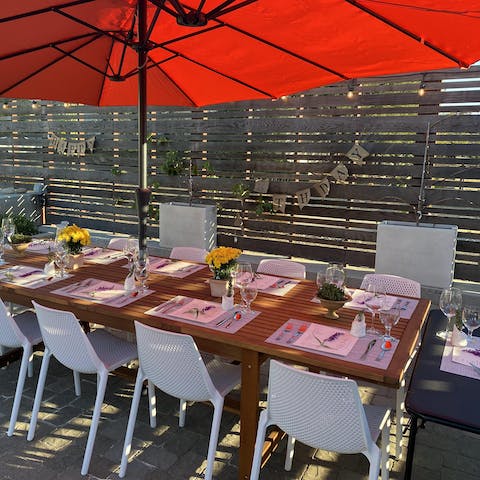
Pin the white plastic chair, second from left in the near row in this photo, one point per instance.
(97, 352)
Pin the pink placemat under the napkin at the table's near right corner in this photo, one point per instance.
(293, 327)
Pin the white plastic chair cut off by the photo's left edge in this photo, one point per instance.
(17, 331)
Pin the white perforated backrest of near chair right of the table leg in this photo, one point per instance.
(320, 411)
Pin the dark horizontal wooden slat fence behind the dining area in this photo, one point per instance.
(295, 141)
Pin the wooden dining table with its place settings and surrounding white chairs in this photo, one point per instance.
(104, 313)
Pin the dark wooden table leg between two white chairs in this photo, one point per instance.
(249, 397)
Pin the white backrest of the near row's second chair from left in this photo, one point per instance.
(64, 337)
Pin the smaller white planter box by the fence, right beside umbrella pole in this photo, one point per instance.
(184, 225)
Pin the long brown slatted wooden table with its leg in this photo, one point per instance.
(248, 345)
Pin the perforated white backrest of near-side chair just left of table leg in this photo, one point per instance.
(173, 363)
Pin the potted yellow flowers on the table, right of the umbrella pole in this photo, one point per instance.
(222, 262)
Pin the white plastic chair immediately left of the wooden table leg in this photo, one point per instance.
(172, 362)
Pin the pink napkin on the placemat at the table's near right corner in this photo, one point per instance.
(327, 339)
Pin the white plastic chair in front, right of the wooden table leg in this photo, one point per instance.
(322, 412)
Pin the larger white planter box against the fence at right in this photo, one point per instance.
(423, 252)
